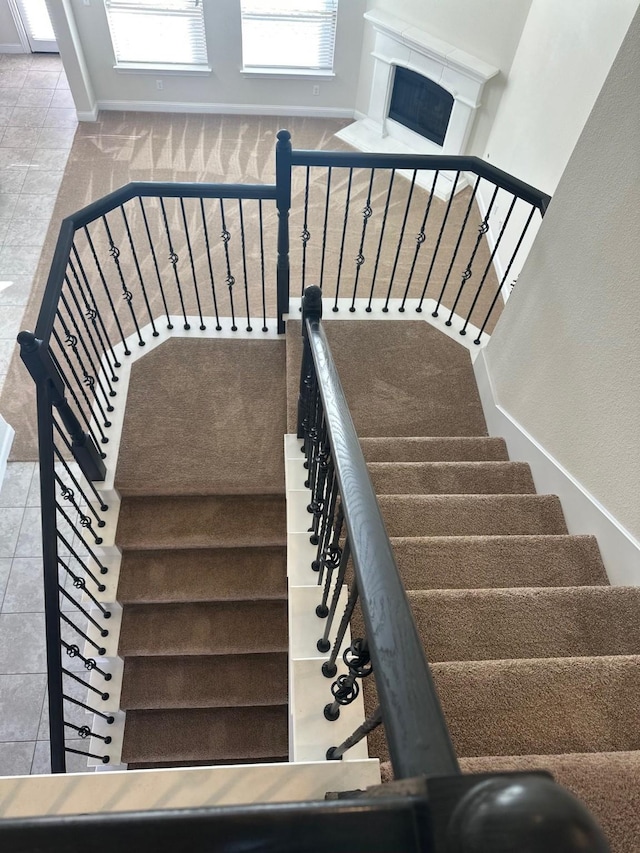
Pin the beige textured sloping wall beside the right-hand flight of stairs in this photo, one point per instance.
(565, 358)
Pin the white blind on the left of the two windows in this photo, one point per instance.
(165, 32)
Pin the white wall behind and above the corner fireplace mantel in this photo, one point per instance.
(488, 29)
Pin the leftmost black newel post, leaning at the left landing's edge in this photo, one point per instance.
(43, 371)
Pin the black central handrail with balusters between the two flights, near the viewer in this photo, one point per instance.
(465, 812)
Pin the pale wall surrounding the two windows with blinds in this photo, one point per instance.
(225, 85)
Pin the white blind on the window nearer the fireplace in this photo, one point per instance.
(289, 33)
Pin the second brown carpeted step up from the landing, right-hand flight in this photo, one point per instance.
(453, 478)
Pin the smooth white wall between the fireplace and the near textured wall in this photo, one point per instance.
(563, 57)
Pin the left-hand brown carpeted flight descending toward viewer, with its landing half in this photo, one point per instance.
(203, 574)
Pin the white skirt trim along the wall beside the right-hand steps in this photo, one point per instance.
(583, 512)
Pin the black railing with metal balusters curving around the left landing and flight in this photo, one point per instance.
(147, 257)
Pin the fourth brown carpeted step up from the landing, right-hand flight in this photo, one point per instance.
(476, 562)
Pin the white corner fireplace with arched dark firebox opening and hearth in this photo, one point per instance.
(431, 72)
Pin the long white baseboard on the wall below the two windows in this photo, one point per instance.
(228, 109)
